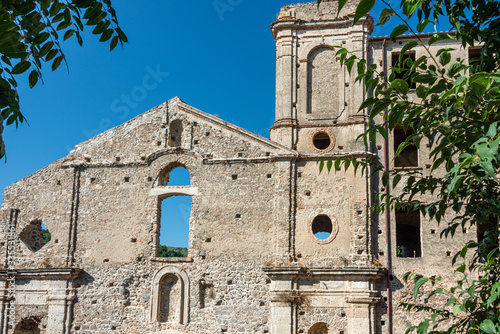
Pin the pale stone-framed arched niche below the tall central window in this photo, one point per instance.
(170, 296)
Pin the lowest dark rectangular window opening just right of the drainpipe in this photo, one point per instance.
(408, 234)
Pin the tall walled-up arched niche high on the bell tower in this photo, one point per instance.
(323, 73)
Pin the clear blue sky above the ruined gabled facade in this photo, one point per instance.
(218, 56)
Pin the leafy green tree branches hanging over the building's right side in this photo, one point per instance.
(454, 108)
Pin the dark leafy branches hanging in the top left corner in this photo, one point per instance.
(31, 35)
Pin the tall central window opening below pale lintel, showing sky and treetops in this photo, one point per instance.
(174, 226)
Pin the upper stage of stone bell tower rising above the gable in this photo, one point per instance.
(315, 96)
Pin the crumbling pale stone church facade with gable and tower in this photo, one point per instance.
(257, 261)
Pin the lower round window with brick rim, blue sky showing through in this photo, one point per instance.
(322, 226)
